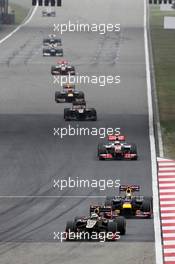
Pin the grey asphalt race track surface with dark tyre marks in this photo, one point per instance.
(31, 157)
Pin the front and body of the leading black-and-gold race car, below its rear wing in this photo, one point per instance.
(93, 224)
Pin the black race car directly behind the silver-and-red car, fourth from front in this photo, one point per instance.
(79, 112)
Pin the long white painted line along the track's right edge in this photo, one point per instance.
(157, 229)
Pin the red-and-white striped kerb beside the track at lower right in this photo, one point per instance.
(166, 178)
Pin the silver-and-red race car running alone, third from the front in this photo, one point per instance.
(117, 150)
